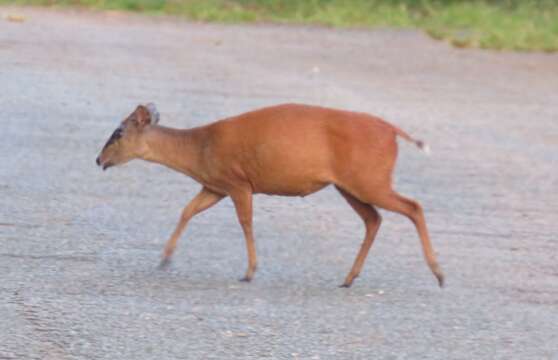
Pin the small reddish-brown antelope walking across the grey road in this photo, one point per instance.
(292, 150)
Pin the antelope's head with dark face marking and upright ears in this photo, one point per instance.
(127, 141)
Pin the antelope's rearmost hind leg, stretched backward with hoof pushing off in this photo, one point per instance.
(412, 209)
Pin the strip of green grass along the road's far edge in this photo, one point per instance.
(524, 25)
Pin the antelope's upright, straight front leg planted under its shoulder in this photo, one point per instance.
(243, 204)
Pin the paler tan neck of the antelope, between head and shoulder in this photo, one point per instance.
(174, 148)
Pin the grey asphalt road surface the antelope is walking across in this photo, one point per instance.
(79, 247)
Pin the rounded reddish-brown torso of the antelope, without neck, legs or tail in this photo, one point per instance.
(296, 149)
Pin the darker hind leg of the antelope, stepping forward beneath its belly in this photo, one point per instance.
(372, 221)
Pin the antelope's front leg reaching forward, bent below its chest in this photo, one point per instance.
(202, 201)
